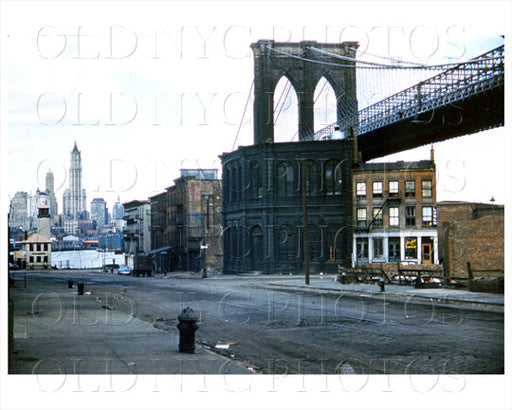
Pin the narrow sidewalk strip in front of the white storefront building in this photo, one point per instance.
(441, 297)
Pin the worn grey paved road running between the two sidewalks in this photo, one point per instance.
(269, 329)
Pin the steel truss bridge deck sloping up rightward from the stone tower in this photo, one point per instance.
(472, 81)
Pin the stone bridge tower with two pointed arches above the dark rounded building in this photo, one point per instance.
(303, 65)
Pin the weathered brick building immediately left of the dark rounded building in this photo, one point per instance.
(186, 223)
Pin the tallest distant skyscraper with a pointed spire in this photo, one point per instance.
(75, 196)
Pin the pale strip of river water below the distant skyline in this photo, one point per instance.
(85, 259)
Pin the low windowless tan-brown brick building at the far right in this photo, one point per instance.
(471, 239)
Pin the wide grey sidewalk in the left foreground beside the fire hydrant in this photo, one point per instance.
(57, 331)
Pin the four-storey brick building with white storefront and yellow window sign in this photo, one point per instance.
(394, 213)
